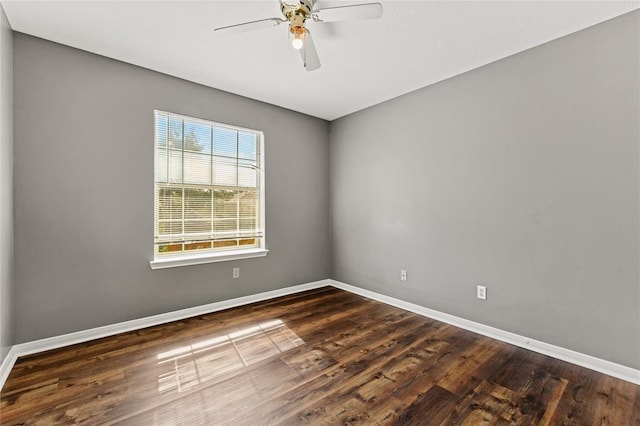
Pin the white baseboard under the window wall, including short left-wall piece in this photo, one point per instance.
(56, 342)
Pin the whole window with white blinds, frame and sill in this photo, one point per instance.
(209, 191)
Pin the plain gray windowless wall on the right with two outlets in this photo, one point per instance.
(522, 175)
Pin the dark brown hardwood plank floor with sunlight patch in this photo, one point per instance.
(320, 357)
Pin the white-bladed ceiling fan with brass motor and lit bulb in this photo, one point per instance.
(296, 13)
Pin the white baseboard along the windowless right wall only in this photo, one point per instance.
(607, 367)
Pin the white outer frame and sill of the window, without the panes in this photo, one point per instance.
(177, 259)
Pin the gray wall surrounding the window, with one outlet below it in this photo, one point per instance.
(84, 193)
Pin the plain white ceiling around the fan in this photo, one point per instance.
(415, 44)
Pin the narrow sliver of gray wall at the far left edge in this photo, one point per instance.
(6, 185)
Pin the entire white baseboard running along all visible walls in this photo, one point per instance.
(587, 361)
